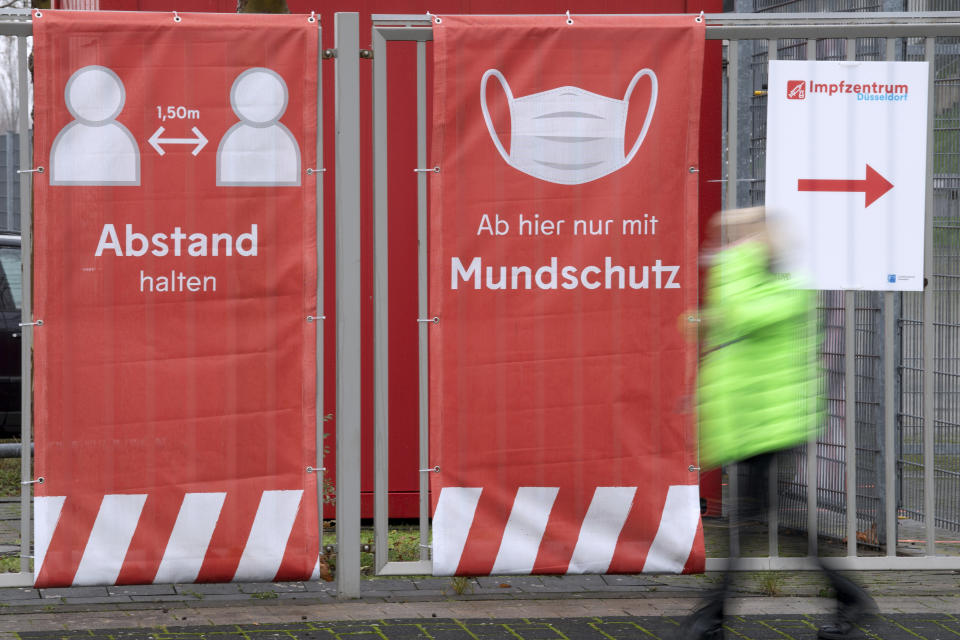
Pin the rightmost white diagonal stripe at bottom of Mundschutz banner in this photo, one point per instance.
(678, 528)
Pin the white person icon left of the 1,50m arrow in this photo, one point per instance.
(94, 149)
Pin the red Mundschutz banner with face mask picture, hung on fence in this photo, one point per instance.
(563, 248)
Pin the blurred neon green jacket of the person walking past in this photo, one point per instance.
(759, 378)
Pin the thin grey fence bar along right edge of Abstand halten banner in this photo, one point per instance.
(318, 393)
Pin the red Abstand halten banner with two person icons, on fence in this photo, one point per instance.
(175, 266)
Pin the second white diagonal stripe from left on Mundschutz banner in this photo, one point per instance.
(524, 531)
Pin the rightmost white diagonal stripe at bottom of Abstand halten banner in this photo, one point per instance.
(271, 529)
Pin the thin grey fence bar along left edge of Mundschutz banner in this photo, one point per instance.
(423, 335)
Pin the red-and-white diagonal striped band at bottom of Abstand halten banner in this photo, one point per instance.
(202, 545)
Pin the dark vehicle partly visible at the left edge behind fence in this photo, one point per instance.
(11, 297)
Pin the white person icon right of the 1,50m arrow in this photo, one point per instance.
(258, 151)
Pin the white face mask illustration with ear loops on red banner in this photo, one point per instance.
(568, 135)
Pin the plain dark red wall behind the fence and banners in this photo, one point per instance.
(403, 414)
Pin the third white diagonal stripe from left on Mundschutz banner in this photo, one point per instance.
(601, 529)
